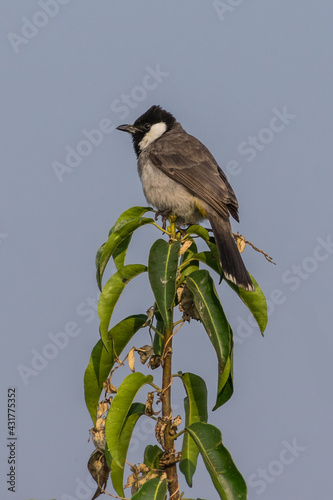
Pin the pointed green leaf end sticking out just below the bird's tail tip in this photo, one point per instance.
(255, 301)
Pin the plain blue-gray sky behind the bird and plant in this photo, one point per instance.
(251, 80)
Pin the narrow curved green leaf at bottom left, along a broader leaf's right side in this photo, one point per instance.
(117, 471)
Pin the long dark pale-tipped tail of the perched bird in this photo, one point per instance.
(230, 258)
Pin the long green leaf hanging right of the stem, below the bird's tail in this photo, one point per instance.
(212, 316)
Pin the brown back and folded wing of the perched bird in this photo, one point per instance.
(186, 160)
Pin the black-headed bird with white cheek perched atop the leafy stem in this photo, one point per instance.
(180, 176)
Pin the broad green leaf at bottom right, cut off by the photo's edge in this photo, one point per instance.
(226, 478)
